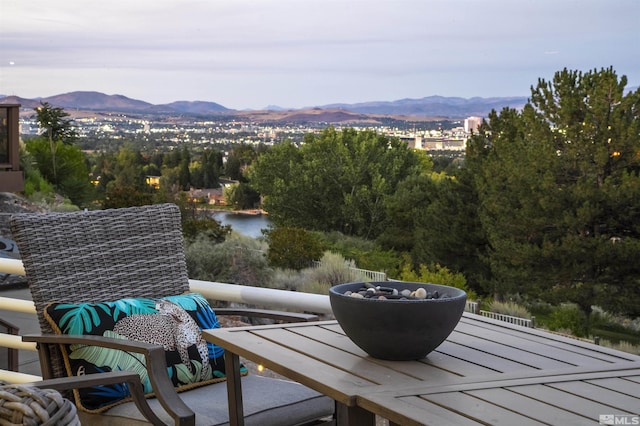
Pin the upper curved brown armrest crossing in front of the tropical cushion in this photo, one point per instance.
(156, 366)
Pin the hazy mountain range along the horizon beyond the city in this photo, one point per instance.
(428, 107)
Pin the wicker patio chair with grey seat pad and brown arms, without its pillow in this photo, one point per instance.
(137, 252)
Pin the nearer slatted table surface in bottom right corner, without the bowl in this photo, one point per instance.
(562, 399)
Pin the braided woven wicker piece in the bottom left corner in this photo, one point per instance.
(25, 405)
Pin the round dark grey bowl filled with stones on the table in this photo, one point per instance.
(394, 328)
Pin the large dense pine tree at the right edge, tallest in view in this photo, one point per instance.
(558, 186)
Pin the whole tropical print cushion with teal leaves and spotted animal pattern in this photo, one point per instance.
(174, 322)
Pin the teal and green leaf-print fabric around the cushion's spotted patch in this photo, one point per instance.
(101, 318)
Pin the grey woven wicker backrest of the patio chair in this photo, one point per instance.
(101, 255)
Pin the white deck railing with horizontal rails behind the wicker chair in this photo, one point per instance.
(263, 297)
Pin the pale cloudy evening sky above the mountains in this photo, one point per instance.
(249, 54)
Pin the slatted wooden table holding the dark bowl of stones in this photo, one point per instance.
(479, 352)
